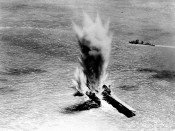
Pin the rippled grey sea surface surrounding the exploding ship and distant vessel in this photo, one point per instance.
(38, 55)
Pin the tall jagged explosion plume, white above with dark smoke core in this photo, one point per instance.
(94, 40)
